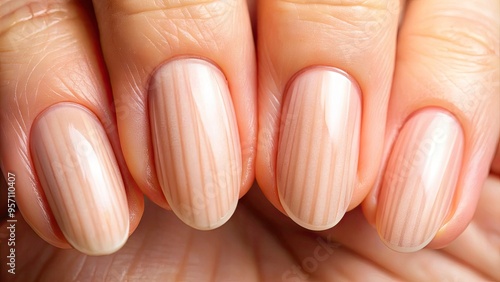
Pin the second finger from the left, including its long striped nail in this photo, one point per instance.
(183, 78)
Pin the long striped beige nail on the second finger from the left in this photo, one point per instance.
(195, 141)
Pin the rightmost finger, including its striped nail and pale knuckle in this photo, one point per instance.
(443, 124)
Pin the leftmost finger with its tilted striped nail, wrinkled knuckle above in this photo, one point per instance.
(57, 134)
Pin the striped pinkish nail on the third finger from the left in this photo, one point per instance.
(318, 147)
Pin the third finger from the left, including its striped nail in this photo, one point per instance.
(325, 69)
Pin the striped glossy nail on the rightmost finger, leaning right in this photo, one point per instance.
(420, 180)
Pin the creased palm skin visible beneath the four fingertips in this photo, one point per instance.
(260, 244)
